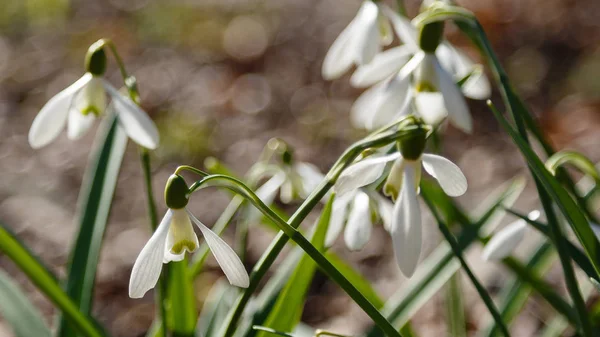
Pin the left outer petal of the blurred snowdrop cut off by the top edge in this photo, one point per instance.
(339, 57)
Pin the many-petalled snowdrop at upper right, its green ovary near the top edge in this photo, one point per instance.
(427, 79)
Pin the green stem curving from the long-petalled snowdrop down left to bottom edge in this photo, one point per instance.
(269, 256)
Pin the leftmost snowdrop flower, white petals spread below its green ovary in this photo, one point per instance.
(81, 103)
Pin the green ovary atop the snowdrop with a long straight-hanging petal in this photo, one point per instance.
(413, 137)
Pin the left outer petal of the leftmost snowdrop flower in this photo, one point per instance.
(52, 118)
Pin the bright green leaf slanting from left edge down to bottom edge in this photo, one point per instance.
(47, 284)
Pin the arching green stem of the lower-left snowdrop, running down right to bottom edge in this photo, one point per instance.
(314, 253)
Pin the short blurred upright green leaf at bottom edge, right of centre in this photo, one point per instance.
(455, 310)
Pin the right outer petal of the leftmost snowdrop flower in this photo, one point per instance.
(136, 123)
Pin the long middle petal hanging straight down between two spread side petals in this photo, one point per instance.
(406, 225)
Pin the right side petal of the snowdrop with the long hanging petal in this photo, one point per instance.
(450, 177)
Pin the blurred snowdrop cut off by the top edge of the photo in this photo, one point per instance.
(359, 42)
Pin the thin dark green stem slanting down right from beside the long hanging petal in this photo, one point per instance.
(456, 249)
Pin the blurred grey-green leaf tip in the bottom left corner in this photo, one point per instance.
(17, 310)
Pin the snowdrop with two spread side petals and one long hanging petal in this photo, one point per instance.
(402, 186)
